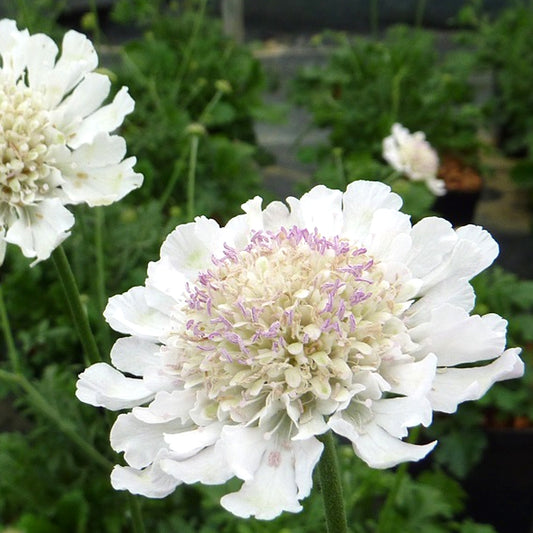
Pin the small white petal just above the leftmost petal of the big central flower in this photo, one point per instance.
(133, 355)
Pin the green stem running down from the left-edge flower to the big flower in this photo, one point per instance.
(78, 313)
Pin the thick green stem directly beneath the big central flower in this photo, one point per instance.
(330, 484)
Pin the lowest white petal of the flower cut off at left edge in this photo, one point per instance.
(40, 228)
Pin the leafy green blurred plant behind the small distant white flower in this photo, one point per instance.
(368, 85)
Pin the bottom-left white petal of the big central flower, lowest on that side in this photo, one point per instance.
(151, 482)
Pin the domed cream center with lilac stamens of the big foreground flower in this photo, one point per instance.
(293, 317)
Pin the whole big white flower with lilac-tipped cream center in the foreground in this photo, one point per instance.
(250, 340)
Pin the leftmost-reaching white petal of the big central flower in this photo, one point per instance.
(103, 386)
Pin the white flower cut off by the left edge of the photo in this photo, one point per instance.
(55, 138)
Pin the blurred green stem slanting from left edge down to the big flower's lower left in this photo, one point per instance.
(40, 403)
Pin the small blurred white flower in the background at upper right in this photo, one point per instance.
(412, 155)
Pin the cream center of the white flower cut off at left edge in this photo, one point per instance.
(24, 132)
